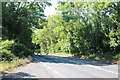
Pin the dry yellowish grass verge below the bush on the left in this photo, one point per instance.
(6, 66)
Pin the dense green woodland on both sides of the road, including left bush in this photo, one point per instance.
(83, 29)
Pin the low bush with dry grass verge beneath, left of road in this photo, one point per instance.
(14, 55)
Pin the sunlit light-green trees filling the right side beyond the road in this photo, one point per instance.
(82, 29)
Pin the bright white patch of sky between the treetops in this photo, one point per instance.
(50, 10)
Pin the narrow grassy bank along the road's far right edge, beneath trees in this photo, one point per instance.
(105, 58)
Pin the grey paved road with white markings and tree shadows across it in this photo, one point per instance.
(50, 66)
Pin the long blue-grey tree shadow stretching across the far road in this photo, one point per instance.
(69, 60)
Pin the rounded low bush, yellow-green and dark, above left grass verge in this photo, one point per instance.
(12, 49)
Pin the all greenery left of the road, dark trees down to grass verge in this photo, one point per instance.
(18, 21)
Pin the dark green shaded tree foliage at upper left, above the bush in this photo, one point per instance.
(18, 19)
